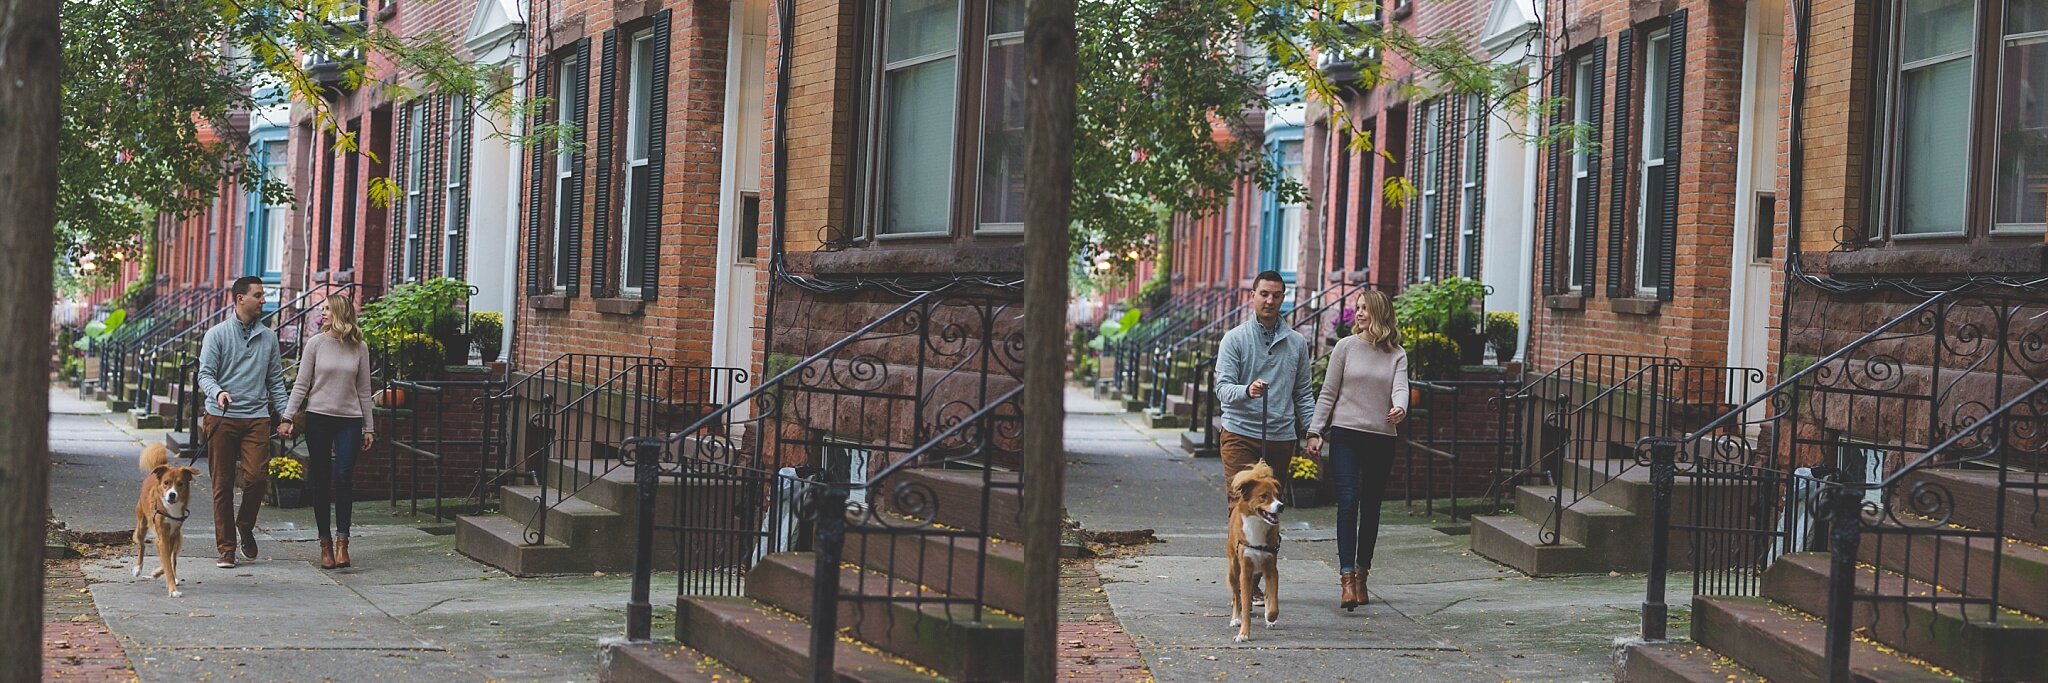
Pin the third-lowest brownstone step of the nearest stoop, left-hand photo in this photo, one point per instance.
(959, 641)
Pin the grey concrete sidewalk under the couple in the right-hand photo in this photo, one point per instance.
(1439, 612)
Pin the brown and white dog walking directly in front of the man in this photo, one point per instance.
(1254, 545)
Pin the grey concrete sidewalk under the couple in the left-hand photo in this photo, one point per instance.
(411, 610)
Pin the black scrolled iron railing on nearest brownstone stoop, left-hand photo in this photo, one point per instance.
(927, 385)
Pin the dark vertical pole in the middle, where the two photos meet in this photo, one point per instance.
(1050, 65)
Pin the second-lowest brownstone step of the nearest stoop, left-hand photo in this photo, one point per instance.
(771, 645)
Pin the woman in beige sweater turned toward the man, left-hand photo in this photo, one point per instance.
(335, 391)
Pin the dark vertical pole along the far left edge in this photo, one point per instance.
(32, 67)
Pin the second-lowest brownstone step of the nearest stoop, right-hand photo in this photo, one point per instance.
(1787, 645)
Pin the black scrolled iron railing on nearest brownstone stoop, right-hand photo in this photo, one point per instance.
(1955, 383)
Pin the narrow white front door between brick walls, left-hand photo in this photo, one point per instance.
(740, 220)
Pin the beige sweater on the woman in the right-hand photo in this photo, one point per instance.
(1361, 387)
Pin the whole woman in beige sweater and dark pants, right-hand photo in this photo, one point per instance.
(1365, 399)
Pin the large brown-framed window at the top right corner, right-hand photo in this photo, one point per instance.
(1961, 120)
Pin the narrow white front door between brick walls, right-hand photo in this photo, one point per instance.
(1756, 190)
